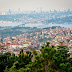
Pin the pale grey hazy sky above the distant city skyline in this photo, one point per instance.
(34, 4)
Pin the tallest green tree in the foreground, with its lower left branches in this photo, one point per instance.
(43, 62)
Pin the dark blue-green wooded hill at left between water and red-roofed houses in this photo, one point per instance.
(14, 31)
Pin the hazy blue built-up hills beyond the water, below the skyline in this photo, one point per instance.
(42, 17)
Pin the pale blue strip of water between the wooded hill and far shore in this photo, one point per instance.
(36, 25)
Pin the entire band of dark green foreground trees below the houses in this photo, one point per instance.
(48, 59)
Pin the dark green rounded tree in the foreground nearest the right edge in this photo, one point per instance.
(61, 59)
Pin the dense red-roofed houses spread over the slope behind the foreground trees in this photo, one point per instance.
(34, 40)
